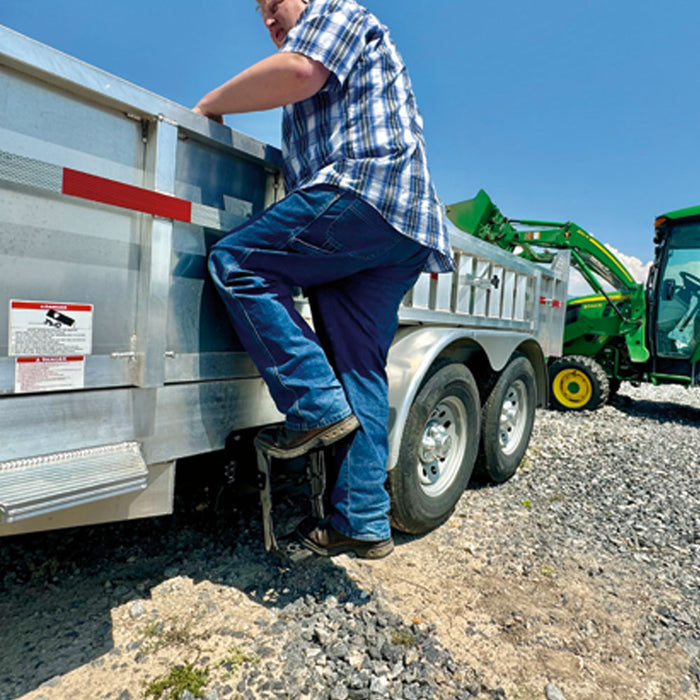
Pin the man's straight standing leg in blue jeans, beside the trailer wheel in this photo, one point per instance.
(359, 318)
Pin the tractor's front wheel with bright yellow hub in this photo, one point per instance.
(577, 383)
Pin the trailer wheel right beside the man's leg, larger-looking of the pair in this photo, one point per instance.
(438, 451)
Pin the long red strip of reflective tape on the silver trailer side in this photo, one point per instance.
(119, 194)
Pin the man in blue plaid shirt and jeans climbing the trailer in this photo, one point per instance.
(360, 221)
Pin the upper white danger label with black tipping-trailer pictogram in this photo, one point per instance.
(49, 329)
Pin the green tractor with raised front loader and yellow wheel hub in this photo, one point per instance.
(637, 332)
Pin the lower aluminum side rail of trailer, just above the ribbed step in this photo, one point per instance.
(170, 422)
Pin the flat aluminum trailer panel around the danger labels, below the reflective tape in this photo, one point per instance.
(67, 250)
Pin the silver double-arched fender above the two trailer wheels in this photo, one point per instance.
(416, 349)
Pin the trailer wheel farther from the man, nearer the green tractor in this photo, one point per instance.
(507, 419)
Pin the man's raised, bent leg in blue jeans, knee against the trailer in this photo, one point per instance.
(310, 238)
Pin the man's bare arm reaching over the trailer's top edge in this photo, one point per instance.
(277, 80)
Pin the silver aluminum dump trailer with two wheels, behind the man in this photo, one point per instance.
(116, 358)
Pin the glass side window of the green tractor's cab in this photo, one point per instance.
(678, 310)
